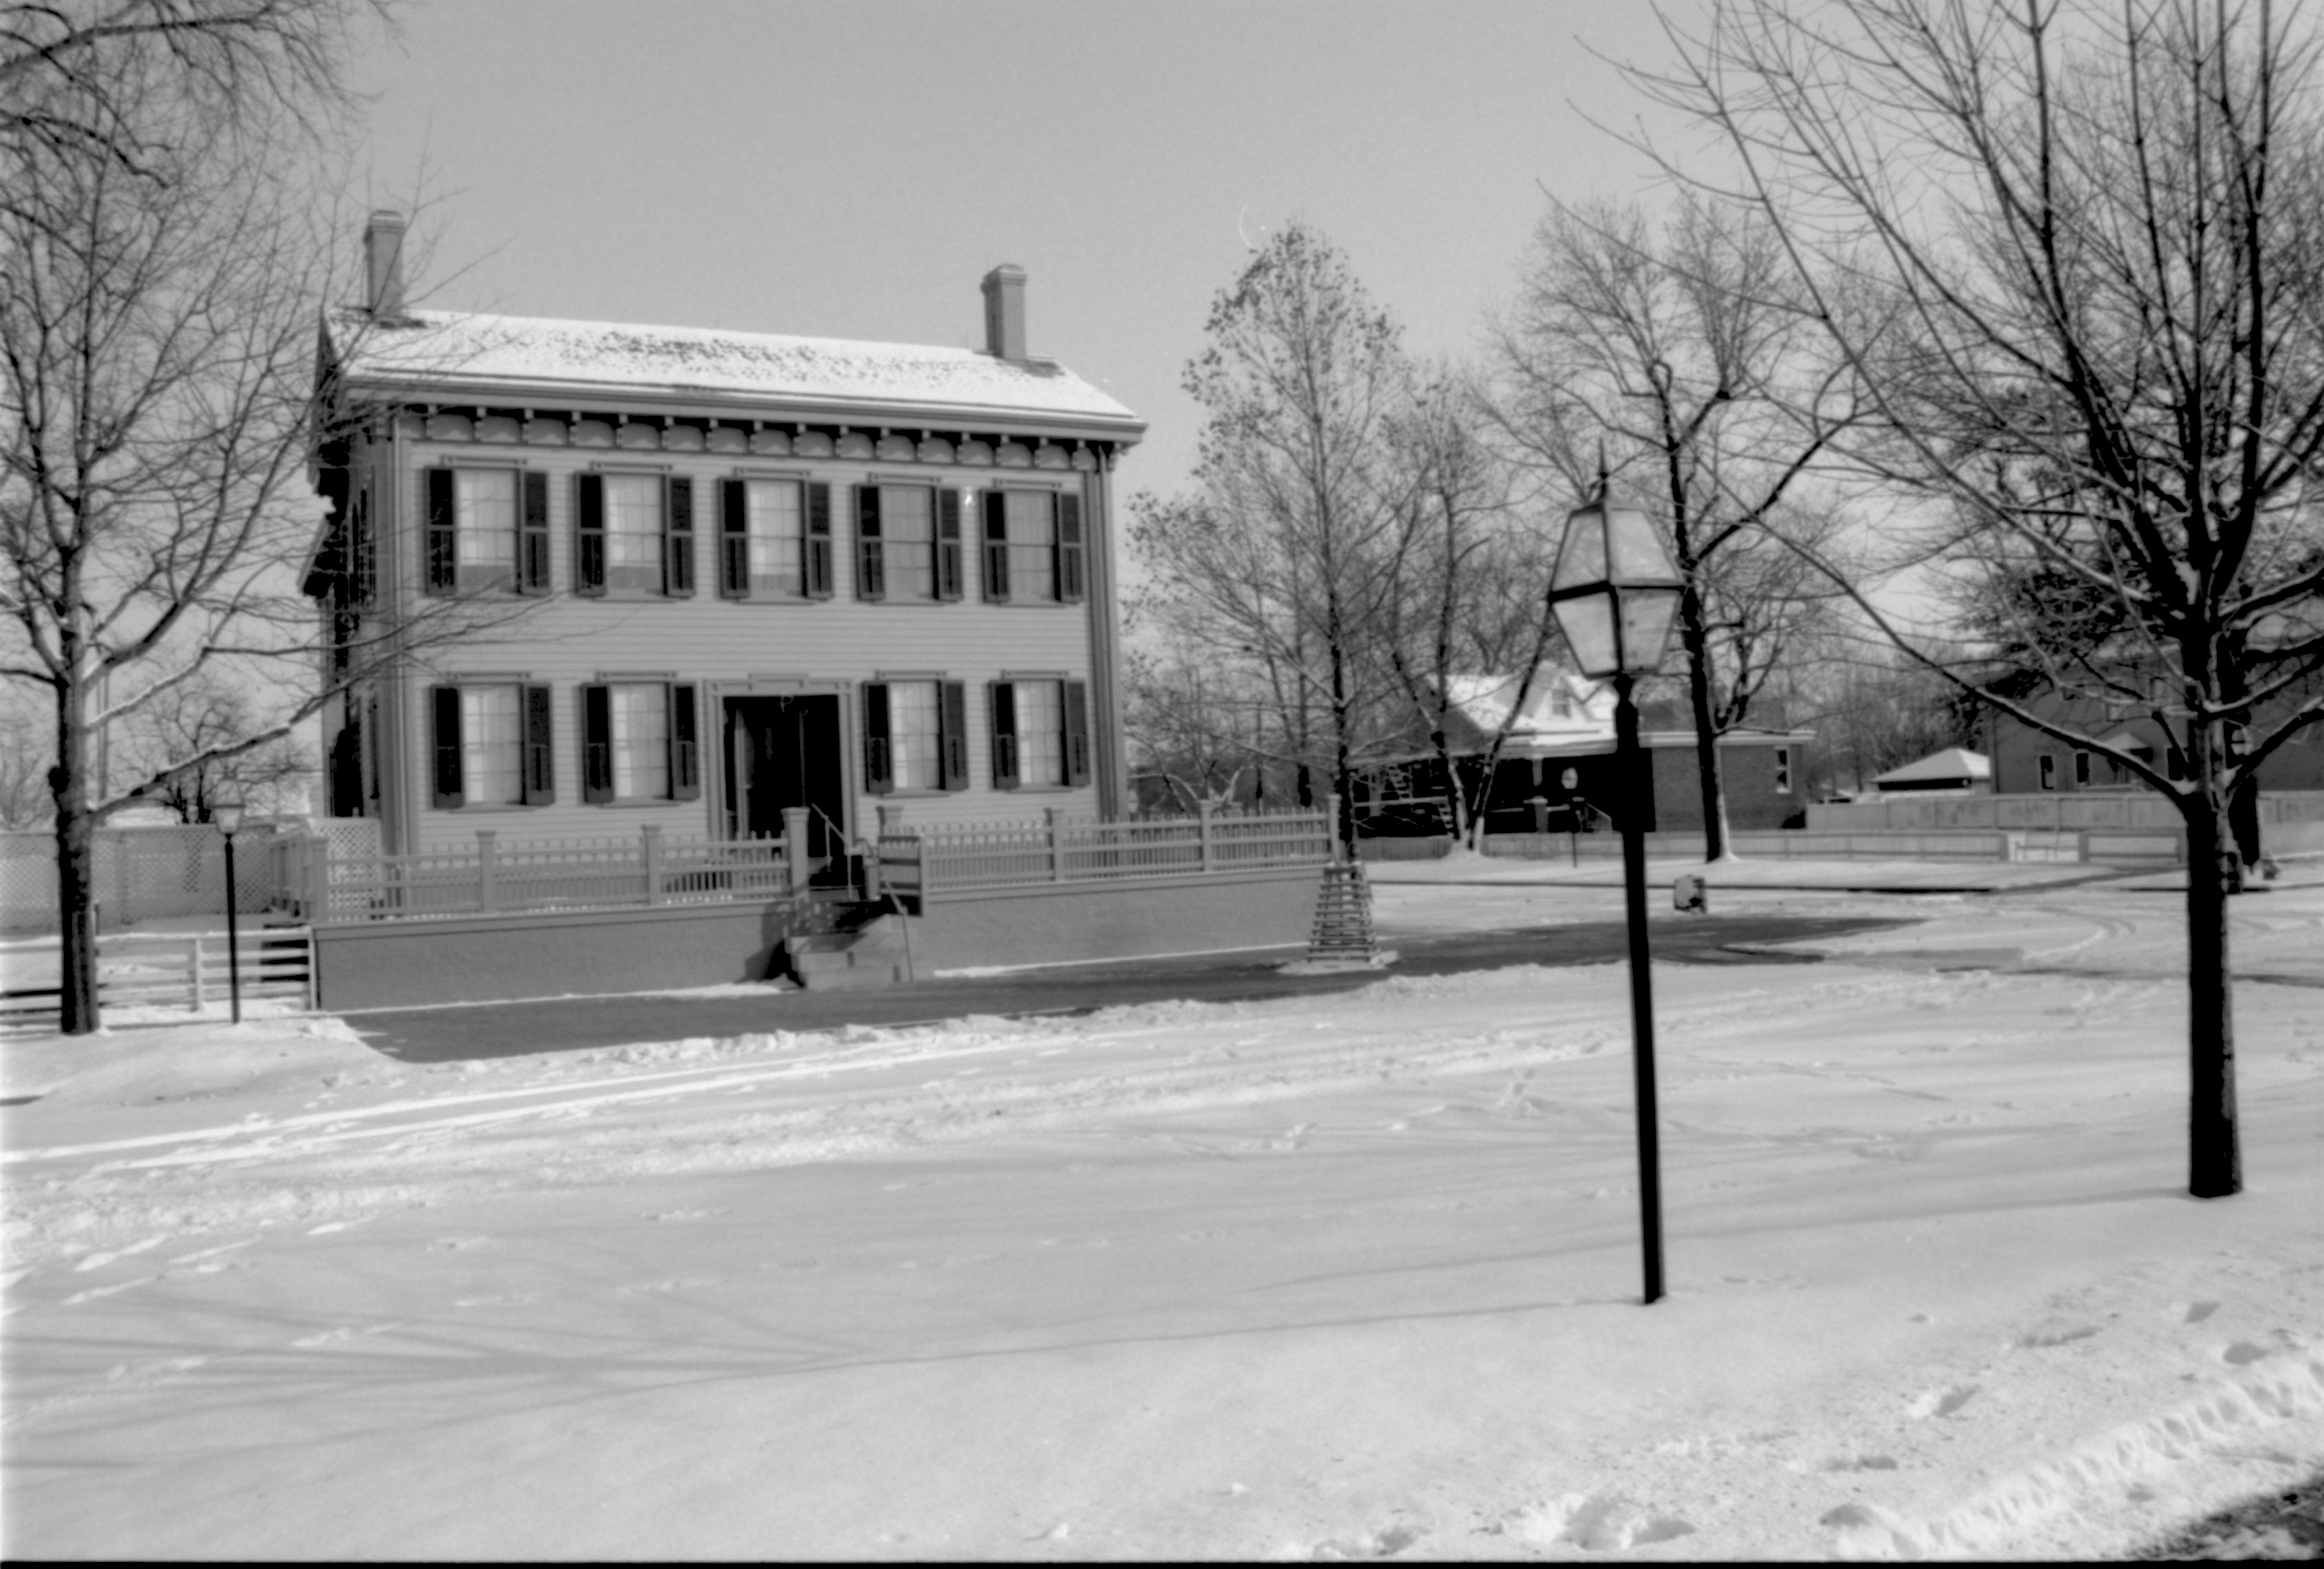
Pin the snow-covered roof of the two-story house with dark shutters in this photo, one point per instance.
(459, 354)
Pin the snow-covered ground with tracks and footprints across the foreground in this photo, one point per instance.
(1337, 1277)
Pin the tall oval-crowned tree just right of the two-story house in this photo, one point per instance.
(1282, 557)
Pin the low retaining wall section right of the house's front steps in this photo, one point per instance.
(1131, 919)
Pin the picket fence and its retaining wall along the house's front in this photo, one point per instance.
(510, 922)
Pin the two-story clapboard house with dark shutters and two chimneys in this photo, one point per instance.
(719, 575)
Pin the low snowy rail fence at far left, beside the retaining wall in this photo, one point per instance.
(171, 970)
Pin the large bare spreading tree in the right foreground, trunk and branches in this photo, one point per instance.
(2100, 236)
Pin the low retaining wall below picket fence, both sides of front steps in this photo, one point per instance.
(508, 959)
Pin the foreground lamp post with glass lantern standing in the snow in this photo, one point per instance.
(1616, 594)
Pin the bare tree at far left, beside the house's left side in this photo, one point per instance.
(162, 275)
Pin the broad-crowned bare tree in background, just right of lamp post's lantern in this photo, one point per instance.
(1686, 354)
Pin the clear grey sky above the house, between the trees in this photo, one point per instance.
(852, 171)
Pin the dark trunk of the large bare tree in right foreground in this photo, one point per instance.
(2214, 1152)
